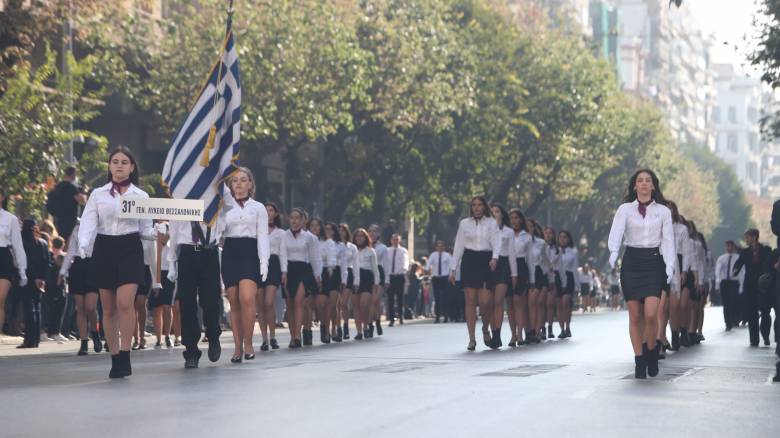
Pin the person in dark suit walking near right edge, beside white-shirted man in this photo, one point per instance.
(756, 258)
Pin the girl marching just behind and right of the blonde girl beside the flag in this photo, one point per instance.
(266, 293)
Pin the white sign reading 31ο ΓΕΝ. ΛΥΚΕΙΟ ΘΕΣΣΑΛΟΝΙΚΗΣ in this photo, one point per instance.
(161, 208)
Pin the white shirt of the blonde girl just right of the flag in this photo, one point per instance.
(251, 221)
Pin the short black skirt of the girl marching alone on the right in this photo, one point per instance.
(642, 273)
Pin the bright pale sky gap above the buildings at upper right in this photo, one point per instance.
(731, 22)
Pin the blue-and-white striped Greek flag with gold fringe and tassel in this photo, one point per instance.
(204, 152)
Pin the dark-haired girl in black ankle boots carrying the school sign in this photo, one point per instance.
(117, 255)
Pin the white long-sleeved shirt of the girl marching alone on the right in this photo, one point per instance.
(653, 231)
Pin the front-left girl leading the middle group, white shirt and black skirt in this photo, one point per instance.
(477, 245)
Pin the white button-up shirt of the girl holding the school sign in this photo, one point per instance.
(100, 216)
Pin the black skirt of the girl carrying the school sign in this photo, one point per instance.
(117, 260)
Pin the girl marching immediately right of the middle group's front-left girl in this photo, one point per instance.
(504, 276)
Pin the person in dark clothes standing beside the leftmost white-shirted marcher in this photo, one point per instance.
(38, 263)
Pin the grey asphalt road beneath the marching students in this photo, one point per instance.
(416, 380)
